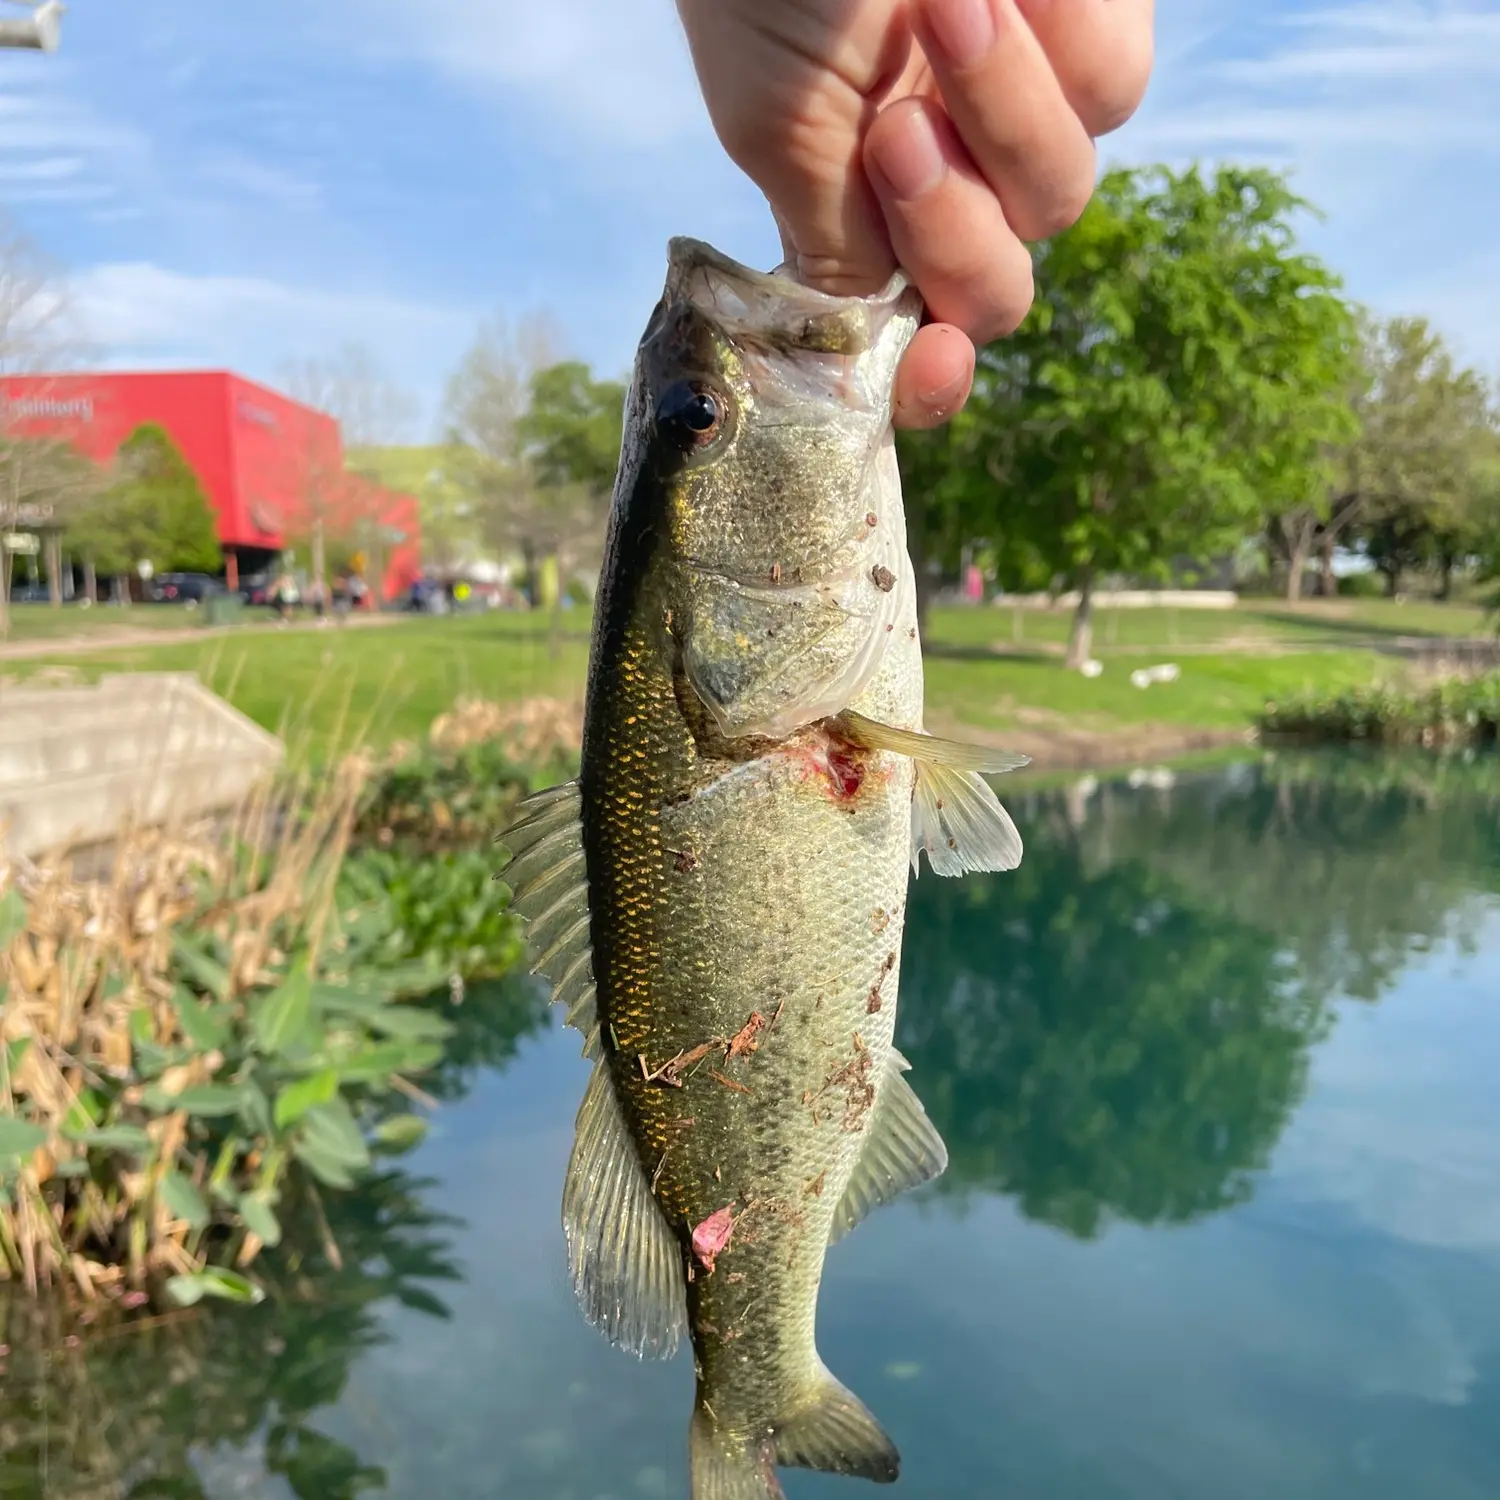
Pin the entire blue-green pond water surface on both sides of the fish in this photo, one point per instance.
(1217, 1072)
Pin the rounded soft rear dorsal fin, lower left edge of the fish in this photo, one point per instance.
(626, 1262)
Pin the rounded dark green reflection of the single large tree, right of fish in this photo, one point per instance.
(1097, 1042)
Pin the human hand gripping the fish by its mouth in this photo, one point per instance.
(934, 134)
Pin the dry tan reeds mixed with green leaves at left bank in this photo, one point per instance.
(101, 1036)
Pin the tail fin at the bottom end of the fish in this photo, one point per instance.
(833, 1433)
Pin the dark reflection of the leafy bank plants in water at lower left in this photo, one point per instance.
(220, 1399)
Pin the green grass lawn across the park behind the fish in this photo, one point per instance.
(329, 688)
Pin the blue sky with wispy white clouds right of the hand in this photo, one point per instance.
(1387, 116)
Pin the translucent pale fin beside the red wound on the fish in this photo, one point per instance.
(956, 815)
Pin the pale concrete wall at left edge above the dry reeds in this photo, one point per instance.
(151, 748)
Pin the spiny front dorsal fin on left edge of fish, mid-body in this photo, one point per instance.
(550, 890)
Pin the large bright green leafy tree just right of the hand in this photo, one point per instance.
(1183, 374)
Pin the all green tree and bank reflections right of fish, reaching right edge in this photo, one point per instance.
(1121, 1028)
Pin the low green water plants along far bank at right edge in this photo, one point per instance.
(1453, 712)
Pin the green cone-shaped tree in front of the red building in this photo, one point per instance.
(155, 512)
